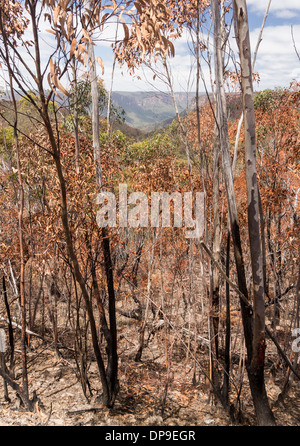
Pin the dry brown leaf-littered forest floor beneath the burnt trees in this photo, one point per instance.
(150, 393)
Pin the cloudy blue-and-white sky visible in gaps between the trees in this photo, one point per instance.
(277, 62)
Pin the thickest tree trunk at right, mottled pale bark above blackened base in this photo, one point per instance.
(256, 369)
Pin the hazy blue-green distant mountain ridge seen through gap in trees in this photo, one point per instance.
(150, 110)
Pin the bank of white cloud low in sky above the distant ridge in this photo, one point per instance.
(277, 63)
